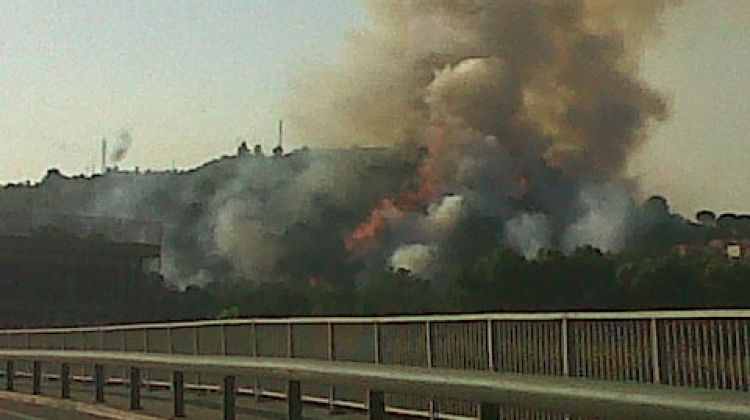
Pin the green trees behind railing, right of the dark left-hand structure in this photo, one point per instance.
(650, 273)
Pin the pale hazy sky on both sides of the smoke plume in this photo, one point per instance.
(188, 77)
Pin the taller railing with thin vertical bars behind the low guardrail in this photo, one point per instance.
(702, 349)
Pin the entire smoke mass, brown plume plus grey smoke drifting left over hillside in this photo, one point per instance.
(509, 122)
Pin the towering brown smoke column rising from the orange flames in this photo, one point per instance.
(528, 111)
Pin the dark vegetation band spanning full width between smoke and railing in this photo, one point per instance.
(669, 263)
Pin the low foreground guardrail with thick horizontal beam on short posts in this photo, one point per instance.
(570, 395)
